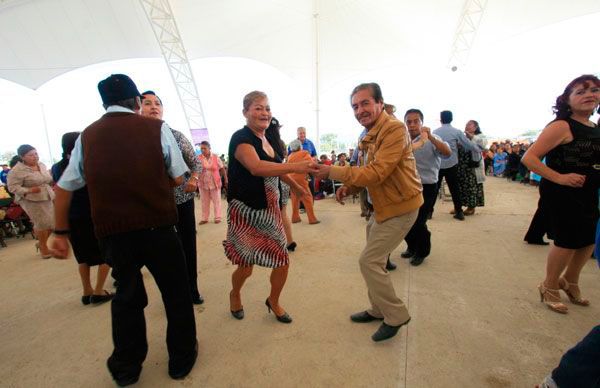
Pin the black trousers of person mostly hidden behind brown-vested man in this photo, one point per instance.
(186, 230)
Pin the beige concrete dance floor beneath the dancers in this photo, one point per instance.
(476, 316)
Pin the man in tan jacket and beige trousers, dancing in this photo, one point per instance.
(394, 192)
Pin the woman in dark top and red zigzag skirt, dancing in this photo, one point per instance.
(255, 233)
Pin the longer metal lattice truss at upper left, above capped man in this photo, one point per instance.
(167, 34)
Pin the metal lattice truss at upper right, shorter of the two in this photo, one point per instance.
(464, 37)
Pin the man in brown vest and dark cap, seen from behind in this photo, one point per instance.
(129, 163)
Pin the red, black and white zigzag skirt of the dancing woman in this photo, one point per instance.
(256, 236)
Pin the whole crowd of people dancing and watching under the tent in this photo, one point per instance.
(396, 171)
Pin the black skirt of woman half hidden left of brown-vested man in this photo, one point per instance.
(84, 242)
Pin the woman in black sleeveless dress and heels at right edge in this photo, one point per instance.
(569, 188)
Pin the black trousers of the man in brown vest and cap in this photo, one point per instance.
(159, 249)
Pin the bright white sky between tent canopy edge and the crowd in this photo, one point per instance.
(509, 88)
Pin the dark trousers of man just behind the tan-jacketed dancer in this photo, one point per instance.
(418, 238)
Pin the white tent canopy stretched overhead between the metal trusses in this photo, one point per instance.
(41, 39)
